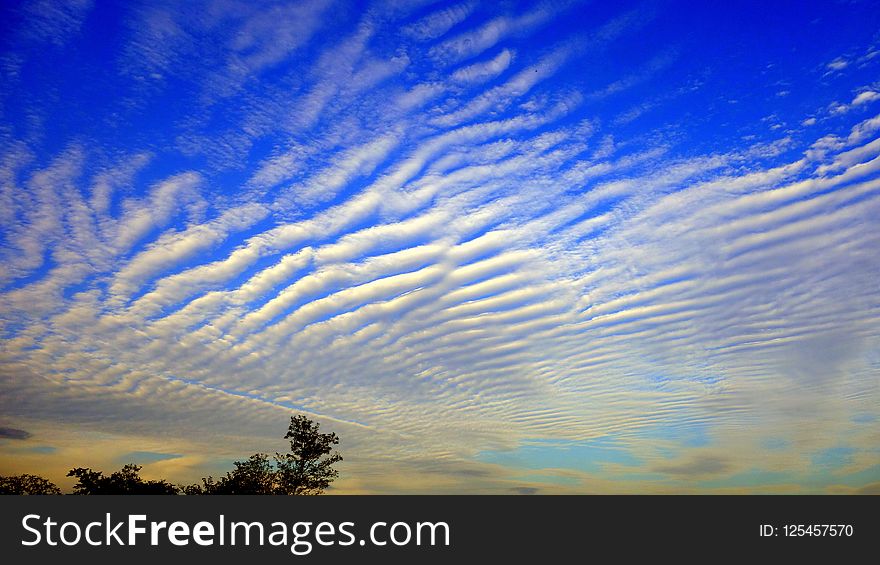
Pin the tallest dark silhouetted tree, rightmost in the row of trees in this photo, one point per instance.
(308, 468)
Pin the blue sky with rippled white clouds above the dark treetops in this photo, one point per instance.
(497, 247)
